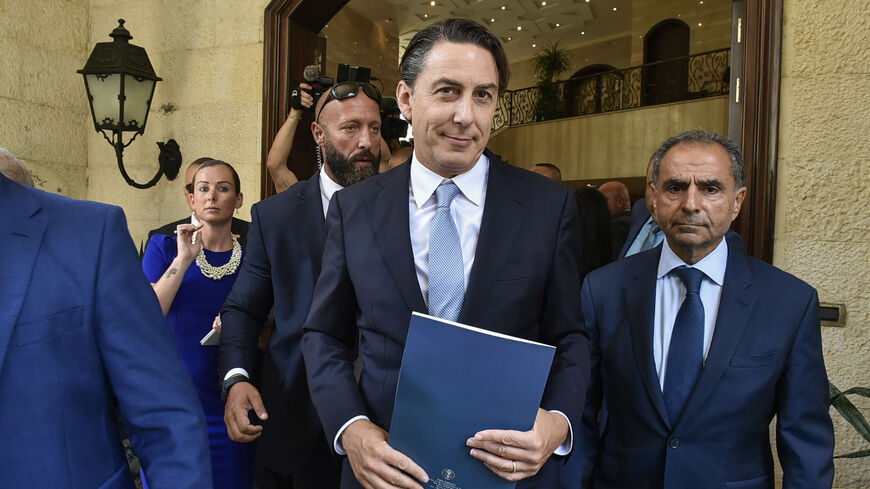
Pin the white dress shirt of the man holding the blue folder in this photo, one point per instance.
(467, 213)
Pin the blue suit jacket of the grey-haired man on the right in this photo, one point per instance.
(765, 359)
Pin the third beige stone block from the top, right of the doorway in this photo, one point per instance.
(820, 199)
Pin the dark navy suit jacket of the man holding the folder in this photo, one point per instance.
(524, 282)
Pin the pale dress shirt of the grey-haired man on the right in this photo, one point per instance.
(670, 293)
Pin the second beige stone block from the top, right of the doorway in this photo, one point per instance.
(828, 116)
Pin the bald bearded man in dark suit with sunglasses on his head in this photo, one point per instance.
(280, 269)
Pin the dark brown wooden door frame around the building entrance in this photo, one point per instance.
(755, 118)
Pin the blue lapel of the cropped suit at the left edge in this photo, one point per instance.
(20, 240)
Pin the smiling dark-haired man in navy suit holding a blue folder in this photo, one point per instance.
(516, 235)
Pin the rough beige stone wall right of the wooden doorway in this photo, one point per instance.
(823, 187)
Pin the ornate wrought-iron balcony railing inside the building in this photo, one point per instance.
(691, 77)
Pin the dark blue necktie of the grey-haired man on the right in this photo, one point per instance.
(686, 353)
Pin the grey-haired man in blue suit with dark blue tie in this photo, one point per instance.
(697, 346)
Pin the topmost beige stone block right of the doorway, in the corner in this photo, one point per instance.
(820, 39)
